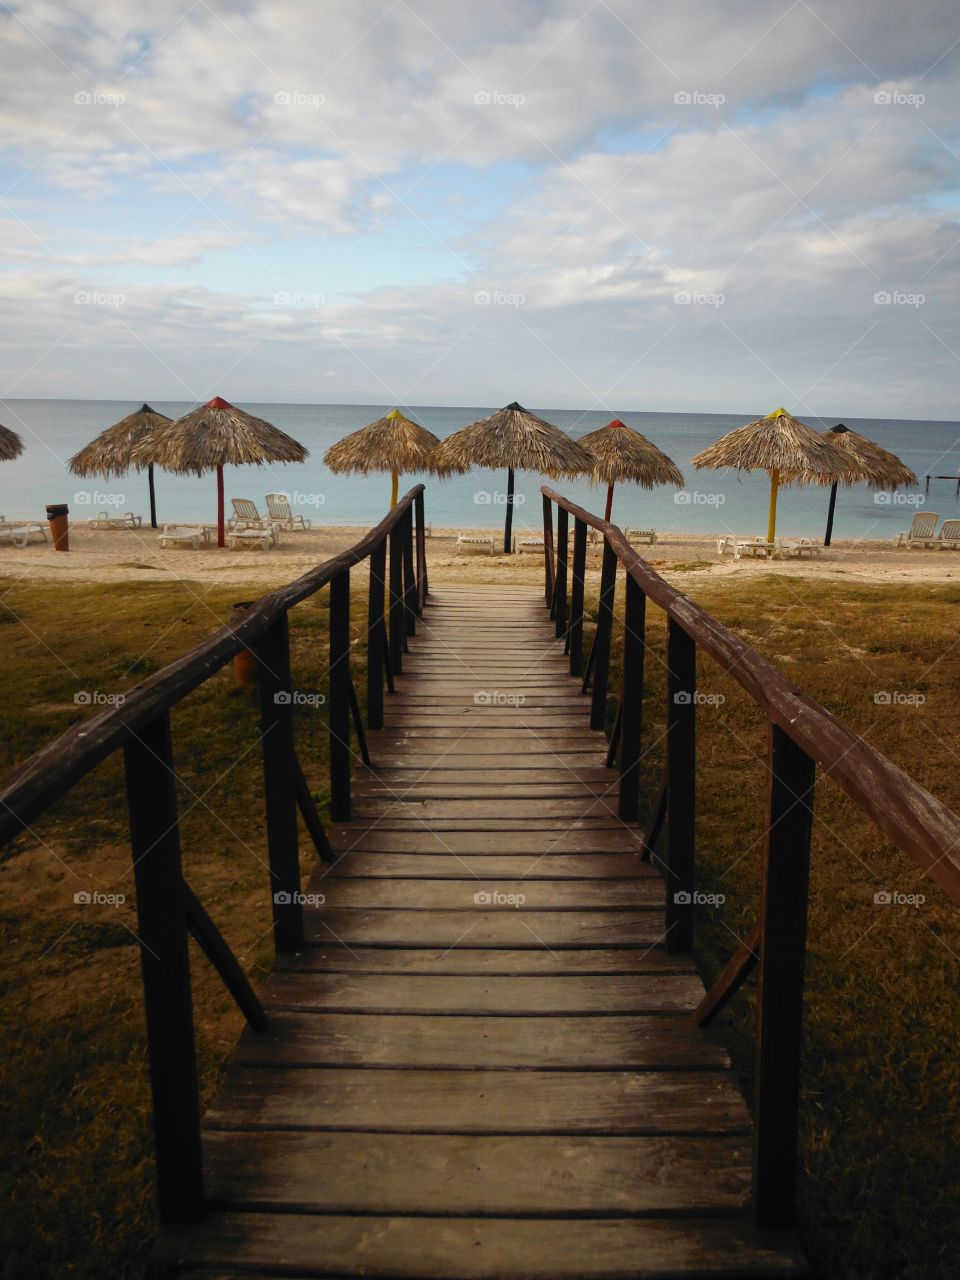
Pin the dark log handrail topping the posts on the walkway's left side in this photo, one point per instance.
(36, 783)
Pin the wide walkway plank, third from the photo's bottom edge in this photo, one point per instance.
(623, 1104)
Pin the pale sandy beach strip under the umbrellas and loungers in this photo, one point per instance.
(131, 556)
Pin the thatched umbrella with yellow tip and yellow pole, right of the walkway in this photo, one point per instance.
(784, 447)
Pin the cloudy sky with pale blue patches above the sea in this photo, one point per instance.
(614, 205)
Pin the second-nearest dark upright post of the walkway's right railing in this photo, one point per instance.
(682, 787)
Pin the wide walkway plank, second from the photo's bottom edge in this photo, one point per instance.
(340, 1173)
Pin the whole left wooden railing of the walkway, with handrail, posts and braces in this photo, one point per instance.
(168, 911)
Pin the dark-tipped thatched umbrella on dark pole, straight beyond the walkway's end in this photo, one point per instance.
(515, 440)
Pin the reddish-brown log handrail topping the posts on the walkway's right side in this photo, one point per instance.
(915, 820)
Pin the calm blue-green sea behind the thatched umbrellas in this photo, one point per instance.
(712, 502)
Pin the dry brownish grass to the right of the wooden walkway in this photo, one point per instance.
(881, 1084)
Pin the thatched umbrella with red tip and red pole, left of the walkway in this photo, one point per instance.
(213, 437)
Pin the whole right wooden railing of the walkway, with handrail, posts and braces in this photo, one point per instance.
(802, 735)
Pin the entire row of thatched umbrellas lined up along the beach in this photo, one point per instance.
(220, 435)
